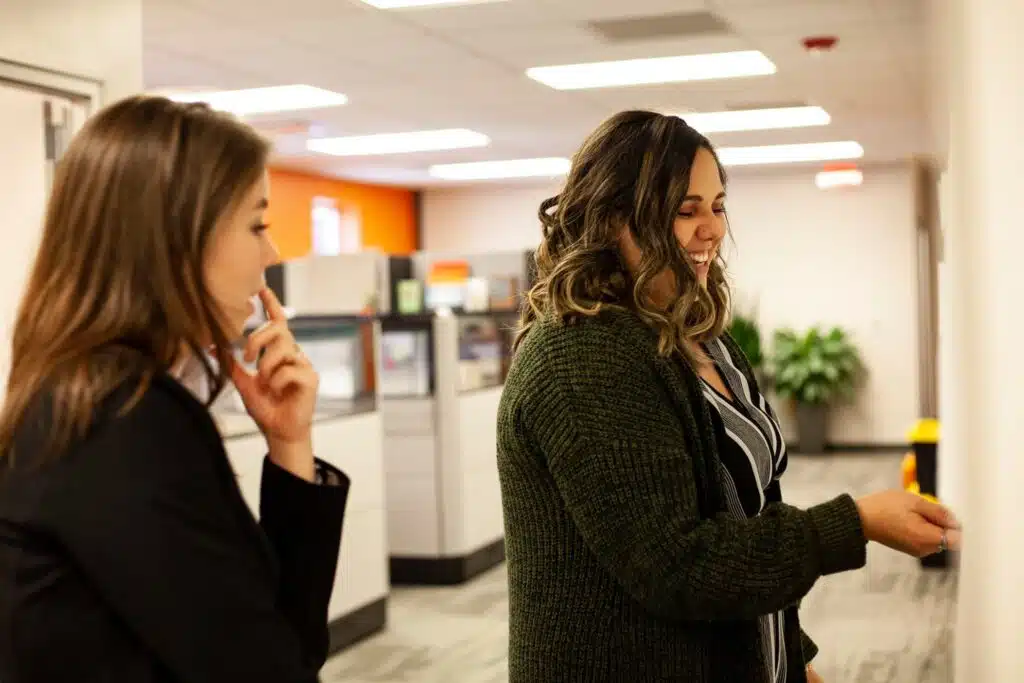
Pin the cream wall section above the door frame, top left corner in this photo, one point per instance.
(99, 39)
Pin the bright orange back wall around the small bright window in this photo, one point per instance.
(389, 215)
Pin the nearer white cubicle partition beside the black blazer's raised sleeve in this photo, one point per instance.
(349, 435)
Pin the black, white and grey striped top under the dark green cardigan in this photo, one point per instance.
(753, 457)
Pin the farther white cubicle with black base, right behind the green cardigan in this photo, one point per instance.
(439, 374)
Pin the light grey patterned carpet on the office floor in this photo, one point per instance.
(887, 624)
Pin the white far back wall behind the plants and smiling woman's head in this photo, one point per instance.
(802, 257)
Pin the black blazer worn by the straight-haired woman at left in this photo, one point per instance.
(135, 559)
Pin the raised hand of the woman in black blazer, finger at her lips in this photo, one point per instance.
(282, 396)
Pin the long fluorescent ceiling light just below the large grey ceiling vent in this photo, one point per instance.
(657, 70)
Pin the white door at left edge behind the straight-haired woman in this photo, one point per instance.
(34, 132)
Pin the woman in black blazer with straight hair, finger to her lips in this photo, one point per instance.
(127, 552)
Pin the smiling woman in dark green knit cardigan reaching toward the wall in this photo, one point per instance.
(647, 536)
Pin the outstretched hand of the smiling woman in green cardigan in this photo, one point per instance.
(909, 524)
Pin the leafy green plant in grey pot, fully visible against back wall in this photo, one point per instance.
(815, 370)
